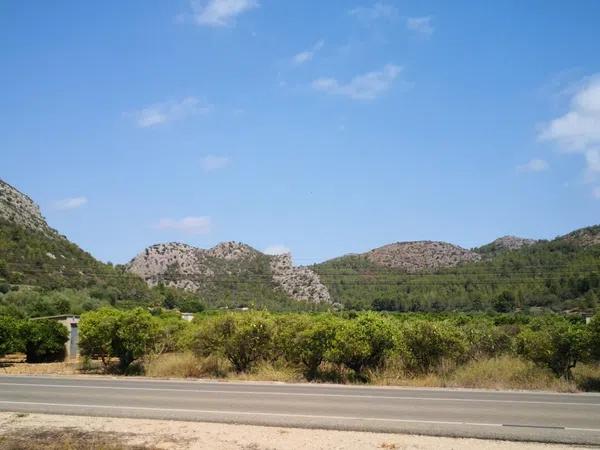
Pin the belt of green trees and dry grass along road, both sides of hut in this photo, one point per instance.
(495, 351)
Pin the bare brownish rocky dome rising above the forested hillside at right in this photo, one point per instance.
(420, 256)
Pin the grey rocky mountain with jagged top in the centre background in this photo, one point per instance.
(231, 273)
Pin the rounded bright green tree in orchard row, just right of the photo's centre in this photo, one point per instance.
(362, 343)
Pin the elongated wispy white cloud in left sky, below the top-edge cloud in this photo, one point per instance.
(160, 113)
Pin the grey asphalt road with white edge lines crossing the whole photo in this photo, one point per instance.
(545, 417)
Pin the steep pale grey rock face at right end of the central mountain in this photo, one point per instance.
(299, 283)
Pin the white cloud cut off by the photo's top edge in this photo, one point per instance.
(219, 13)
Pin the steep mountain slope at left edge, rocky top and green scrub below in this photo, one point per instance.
(34, 255)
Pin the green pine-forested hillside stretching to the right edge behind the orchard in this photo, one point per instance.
(563, 274)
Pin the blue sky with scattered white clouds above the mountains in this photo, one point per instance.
(320, 128)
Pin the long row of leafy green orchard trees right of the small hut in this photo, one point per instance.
(360, 344)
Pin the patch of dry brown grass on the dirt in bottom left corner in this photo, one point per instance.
(66, 439)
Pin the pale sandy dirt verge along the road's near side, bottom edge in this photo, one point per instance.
(54, 432)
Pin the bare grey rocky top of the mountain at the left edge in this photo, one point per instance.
(19, 209)
